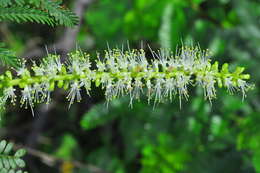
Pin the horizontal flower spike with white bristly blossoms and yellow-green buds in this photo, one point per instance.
(122, 73)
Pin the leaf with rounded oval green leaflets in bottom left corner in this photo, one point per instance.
(11, 163)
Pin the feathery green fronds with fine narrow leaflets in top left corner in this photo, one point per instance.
(41, 11)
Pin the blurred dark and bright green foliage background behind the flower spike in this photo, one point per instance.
(93, 138)
